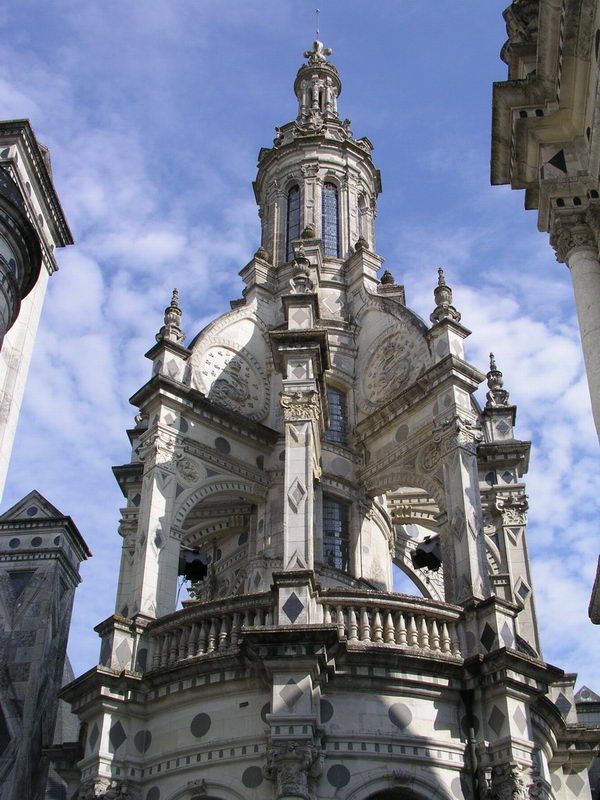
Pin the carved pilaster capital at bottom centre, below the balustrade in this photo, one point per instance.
(292, 765)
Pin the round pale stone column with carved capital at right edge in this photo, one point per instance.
(575, 244)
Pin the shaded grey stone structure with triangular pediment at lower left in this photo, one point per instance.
(40, 554)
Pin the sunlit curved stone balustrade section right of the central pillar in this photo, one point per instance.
(393, 620)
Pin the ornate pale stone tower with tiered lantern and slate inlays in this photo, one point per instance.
(302, 444)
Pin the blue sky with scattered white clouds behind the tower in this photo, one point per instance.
(155, 111)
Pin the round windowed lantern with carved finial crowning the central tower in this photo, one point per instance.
(317, 181)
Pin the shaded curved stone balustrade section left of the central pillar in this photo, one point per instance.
(201, 629)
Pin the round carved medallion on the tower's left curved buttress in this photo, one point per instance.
(232, 377)
